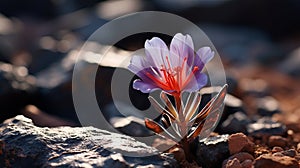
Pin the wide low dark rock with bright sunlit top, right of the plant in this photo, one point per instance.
(266, 126)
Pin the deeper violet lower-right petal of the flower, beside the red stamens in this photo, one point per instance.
(200, 80)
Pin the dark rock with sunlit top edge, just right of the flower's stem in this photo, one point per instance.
(211, 151)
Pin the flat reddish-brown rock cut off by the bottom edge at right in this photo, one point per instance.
(268, 160)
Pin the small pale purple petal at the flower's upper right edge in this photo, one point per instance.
(203, 56)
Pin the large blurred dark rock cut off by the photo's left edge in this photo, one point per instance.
(17, 89)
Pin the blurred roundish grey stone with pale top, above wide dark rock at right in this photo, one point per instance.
(267, 106)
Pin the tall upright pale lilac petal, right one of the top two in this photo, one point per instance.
(182, 46)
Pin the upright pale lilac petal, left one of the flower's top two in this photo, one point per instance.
(156, 52)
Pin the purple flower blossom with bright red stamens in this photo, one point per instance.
(173, 70)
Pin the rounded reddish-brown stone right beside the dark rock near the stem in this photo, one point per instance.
(239, 142)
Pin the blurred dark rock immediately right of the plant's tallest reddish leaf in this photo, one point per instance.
(236, 122)
